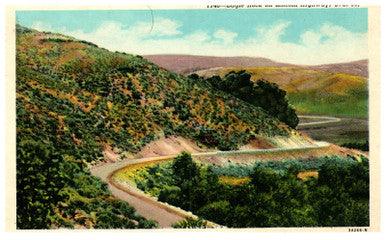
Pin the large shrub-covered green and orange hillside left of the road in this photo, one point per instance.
(74, 99)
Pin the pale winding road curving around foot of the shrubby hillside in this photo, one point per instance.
(148, 206)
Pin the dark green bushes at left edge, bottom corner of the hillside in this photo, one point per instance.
(37, 183)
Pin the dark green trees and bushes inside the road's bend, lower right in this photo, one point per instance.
(274, 197)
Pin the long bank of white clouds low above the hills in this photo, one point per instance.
(327, 44)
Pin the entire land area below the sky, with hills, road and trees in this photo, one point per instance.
(112, 140)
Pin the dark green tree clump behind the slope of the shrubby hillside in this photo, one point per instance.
(261, 93)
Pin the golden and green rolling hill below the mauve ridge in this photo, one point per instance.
(312, 91)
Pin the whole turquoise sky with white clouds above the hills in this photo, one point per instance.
(299, 36)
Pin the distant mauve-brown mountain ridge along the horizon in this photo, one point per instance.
(186, 64)
